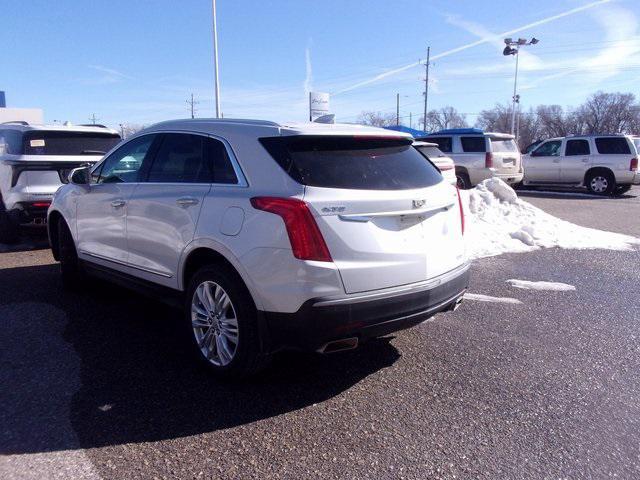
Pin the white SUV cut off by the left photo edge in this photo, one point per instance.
(35, 161)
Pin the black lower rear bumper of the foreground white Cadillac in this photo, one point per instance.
(323, 320)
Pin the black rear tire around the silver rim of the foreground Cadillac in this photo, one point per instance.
(248, 357)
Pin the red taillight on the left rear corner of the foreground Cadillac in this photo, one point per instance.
(306, 240)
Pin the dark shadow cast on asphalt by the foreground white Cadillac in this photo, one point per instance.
(137, 382)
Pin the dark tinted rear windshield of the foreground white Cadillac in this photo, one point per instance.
(352, 162)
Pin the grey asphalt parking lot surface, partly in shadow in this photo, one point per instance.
(95, 385)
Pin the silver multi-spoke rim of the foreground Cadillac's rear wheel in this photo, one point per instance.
(214, 323)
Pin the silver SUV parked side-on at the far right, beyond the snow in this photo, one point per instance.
(603, 164)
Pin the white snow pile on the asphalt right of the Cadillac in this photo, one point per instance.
(497, 221)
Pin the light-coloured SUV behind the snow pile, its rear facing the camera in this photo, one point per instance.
(480, 155)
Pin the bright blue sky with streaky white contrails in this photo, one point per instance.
(138, 61)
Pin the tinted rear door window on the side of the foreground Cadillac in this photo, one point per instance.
(181, 158)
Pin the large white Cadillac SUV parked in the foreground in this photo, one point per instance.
(269, 236)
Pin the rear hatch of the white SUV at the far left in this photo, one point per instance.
(44, 158)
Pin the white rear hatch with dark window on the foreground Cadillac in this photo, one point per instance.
(386, 215)
